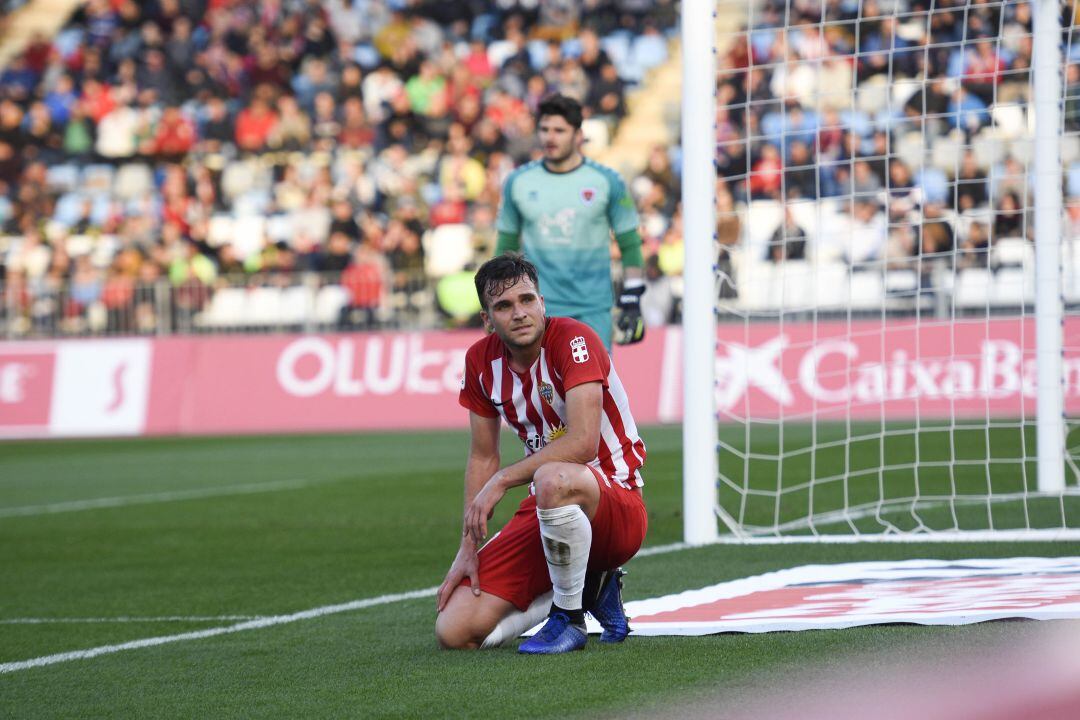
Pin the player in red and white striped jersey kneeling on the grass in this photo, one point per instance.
(555, 385)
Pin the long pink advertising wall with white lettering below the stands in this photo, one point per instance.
(198, 386)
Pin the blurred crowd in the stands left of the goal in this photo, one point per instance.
(197, 142)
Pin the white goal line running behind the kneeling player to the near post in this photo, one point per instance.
(253, 624)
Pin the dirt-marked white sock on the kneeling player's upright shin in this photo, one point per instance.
(568, 538)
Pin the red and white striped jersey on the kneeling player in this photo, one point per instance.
(534, 403)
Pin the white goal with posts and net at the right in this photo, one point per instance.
(885, 184)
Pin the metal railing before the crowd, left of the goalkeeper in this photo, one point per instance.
(264, 303)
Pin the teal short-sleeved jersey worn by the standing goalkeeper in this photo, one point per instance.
(565, 223)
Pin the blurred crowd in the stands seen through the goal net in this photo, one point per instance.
(903, 121)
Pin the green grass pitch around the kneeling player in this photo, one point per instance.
(343, 519)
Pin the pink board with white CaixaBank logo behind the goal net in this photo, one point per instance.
(790, 373)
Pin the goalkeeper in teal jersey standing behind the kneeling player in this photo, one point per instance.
(562, 211)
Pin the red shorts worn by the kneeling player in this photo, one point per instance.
(514, 567)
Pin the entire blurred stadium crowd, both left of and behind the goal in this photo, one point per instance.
(190, 145)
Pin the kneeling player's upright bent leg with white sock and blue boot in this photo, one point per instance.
(568, 497)
